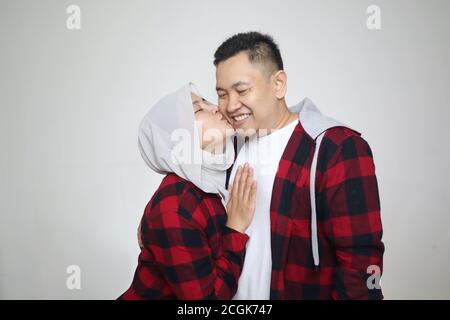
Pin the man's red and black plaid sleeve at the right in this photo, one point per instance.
(352, 222)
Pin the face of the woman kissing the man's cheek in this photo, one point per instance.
(213, 127)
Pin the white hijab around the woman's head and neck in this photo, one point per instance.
(169, 142)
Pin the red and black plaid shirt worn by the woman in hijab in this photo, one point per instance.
(188, 251)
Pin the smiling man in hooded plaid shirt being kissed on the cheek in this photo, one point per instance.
(341, 221)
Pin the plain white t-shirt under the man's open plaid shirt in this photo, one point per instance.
(263, 154)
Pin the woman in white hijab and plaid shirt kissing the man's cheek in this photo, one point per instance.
(192, 248)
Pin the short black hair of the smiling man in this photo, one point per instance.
(260, 49)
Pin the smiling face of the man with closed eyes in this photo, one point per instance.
(247, 96)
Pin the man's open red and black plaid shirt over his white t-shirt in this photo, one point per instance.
(348, 214)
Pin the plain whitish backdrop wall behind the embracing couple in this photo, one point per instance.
(73, 186)
